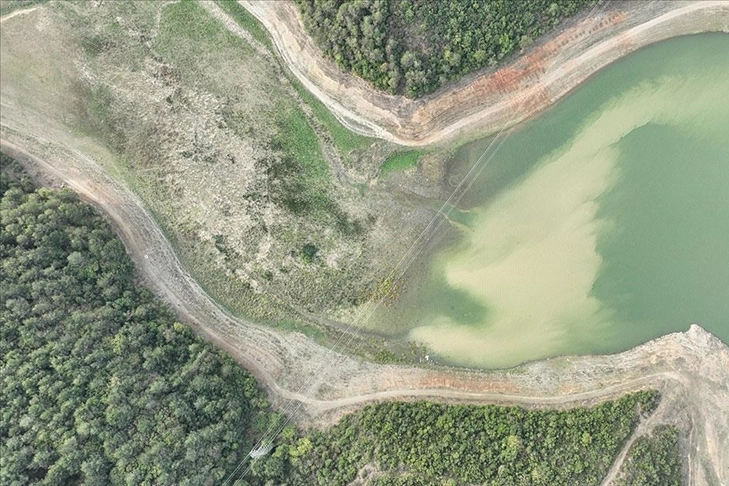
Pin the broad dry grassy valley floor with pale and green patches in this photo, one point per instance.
(259, 189)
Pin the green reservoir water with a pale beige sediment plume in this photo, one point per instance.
(598, 226)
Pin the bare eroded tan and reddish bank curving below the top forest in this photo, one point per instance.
(488, 101)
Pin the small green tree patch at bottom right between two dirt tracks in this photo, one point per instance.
(654, 460)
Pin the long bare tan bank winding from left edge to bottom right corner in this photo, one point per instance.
(318, 385)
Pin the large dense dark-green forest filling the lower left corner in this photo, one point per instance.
(100, 385)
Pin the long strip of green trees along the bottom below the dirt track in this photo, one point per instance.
(426, 443)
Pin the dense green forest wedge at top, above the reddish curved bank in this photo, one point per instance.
(414, 47)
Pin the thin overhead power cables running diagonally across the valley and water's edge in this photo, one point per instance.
(264, 445)
